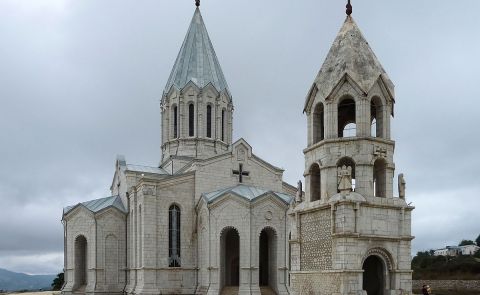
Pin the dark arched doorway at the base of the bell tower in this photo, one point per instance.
(373, 275)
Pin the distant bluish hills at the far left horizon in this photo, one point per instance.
(12, 281)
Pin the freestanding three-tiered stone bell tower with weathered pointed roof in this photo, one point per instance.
(350, 235)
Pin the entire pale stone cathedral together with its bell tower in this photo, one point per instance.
(215, 218)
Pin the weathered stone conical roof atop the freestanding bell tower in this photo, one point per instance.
(351, 54)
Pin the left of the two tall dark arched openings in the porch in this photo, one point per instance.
(230, 257)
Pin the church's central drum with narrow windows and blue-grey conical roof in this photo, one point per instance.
(196, 104)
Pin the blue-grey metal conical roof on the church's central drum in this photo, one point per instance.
(197, 61)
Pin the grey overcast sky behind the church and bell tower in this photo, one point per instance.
(80, 82)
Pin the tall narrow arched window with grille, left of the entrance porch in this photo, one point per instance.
(174, 236)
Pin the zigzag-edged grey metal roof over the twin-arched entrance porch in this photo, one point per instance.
(249, 193)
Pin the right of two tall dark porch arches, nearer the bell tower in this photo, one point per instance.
(267, 258)
